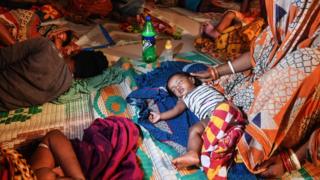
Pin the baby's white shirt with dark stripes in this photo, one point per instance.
(202, 100)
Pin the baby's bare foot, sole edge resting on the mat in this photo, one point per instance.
(190, 158)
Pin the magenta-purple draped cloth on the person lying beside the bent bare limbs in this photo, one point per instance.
(108, 150)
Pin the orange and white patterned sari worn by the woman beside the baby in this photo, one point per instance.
(285, 83)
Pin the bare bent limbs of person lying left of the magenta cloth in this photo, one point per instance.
(59, 152)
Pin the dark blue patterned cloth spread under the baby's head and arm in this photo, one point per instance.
(151, 87)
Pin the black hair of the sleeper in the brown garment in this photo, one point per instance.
(89, 63)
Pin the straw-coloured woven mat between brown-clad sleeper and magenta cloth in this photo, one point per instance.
(26, 124)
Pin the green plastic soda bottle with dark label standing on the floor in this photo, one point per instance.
(148, 42)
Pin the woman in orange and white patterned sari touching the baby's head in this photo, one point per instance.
(278, 89)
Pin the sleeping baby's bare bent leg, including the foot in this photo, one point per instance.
(192, 157)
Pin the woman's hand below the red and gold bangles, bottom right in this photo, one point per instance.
(274, 167)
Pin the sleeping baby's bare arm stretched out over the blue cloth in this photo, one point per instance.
(178, 109)
